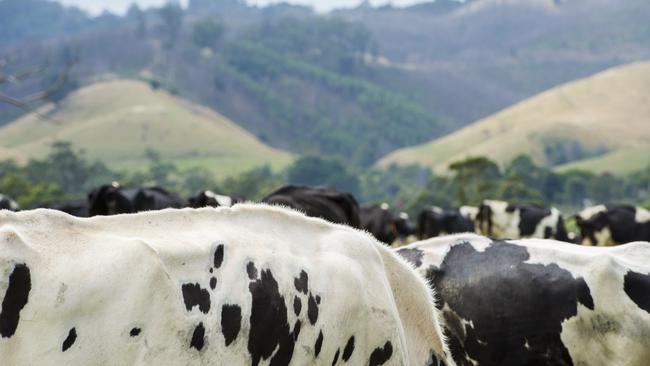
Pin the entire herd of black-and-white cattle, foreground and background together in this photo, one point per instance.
(266, 284)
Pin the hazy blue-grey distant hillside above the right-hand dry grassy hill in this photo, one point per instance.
(500, 52)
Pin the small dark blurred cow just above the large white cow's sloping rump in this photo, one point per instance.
(384, 225)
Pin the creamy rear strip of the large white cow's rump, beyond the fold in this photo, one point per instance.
(421, 320)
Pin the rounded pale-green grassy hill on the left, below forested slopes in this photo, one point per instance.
(116, 121)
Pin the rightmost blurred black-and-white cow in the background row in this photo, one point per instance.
(613, 224)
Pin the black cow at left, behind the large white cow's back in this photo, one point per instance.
(113, 199)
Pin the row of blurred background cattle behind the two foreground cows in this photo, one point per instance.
(602, 225)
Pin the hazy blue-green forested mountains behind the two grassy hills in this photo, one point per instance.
(355, 83)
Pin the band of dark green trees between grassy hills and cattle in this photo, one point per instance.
(65, 176)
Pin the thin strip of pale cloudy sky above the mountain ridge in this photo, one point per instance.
(120, 6)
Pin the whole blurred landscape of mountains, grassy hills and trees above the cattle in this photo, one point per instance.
(445, 102)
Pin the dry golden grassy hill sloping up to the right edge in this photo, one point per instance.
(600, 123)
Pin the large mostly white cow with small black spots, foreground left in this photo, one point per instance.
(245, 285)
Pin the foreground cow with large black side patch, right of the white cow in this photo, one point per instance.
(539, 302)
